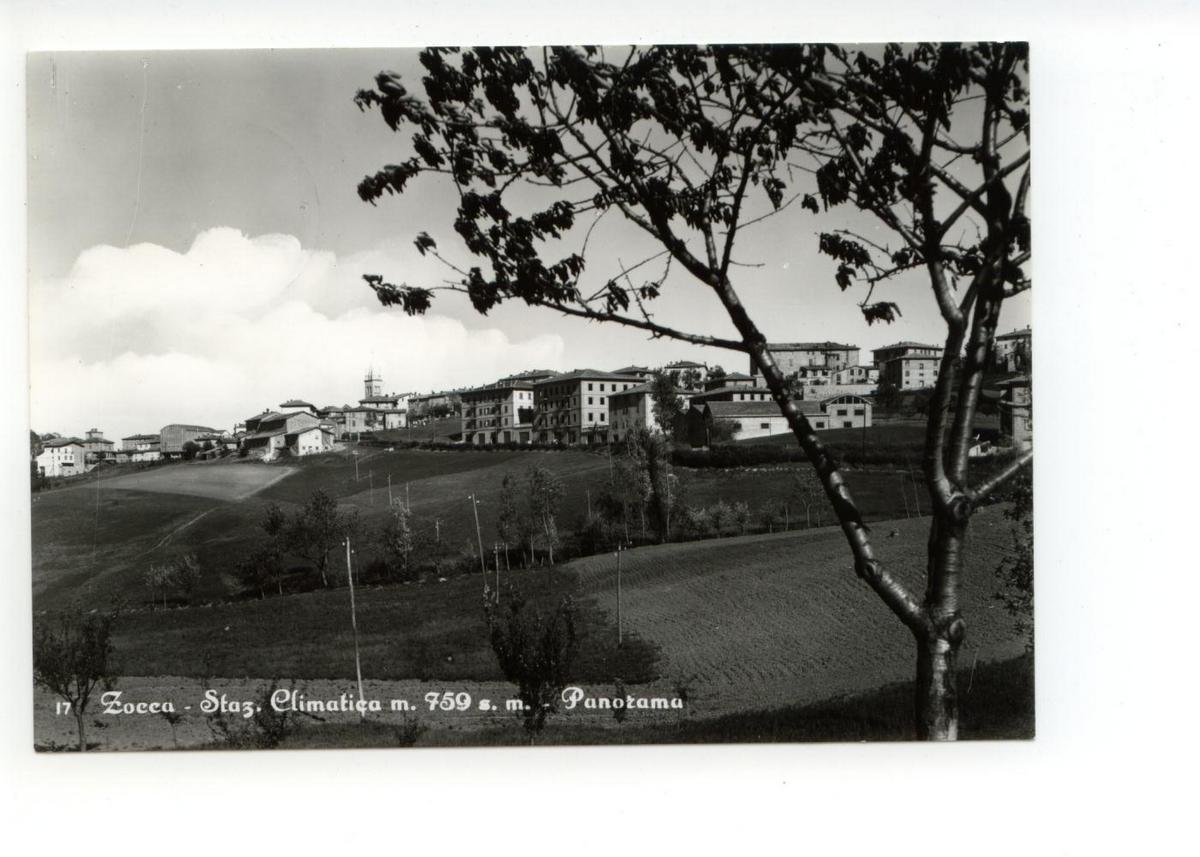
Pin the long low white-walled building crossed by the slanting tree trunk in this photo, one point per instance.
(764, 418)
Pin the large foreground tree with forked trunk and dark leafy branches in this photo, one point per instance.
(695, 146)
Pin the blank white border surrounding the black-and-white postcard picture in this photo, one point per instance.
(1115, 124)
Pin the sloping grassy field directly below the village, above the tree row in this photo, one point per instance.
(94, 542)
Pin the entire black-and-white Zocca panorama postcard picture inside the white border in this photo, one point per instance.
(536, 395)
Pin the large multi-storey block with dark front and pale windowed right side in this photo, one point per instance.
(574, 407)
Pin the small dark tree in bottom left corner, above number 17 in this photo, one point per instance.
(73, 657)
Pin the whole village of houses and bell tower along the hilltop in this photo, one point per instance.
(830, 385)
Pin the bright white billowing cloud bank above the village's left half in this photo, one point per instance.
(134, 339)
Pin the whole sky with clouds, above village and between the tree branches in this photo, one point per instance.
(197, 243)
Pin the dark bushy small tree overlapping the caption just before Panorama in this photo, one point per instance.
(536, 649)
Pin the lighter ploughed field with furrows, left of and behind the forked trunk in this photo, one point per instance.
(773, 620)
